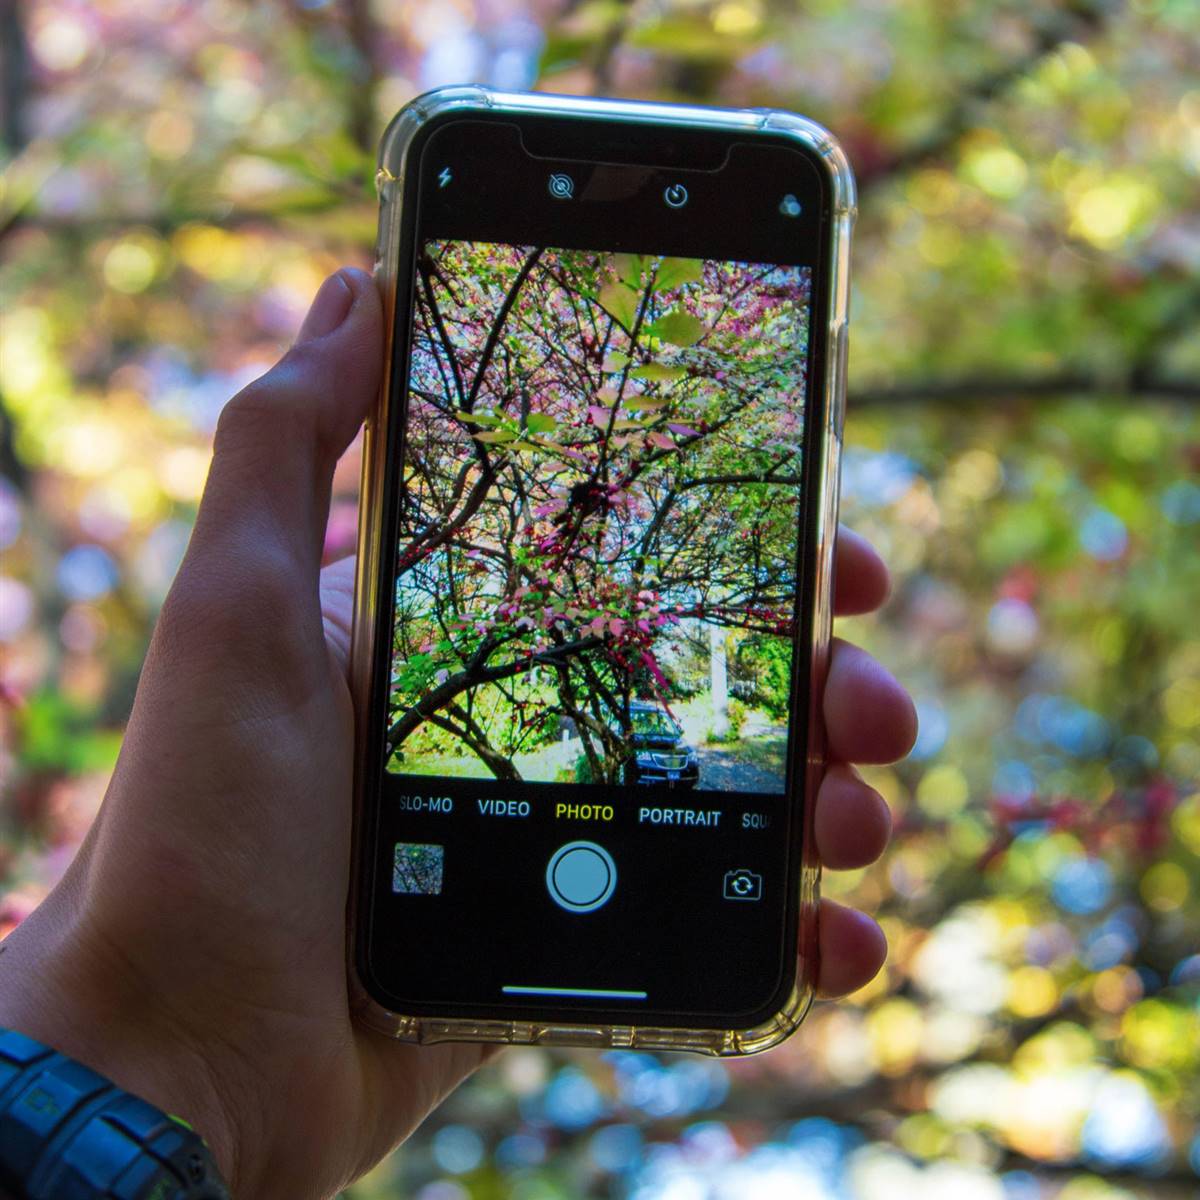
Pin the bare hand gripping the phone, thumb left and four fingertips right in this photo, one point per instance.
(195, 952)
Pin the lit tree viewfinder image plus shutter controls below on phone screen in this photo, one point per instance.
(587, 748)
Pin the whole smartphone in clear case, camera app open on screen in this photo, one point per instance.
(593, 599)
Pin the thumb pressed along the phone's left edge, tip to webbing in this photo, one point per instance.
(279, 440)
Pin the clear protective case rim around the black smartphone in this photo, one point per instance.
(393, 166)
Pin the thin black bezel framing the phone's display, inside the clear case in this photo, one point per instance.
(565, 136)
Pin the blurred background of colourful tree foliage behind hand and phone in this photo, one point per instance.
(1023, 445)
